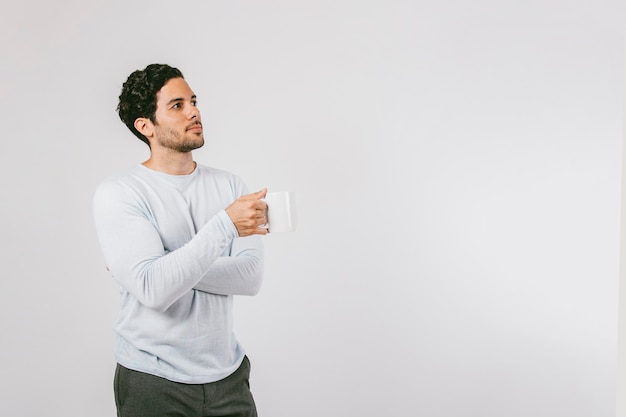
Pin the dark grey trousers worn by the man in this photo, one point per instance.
(138, 394)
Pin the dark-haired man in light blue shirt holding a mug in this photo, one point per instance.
(181, 239)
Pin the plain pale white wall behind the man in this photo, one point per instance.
(457, 166)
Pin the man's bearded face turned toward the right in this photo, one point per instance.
(178, 125)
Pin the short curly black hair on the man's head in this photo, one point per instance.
(138, 96)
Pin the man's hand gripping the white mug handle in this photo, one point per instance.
(248, 213)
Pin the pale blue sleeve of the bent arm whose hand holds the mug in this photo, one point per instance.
(134, 253)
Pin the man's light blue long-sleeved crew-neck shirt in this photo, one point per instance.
(177, 257)
